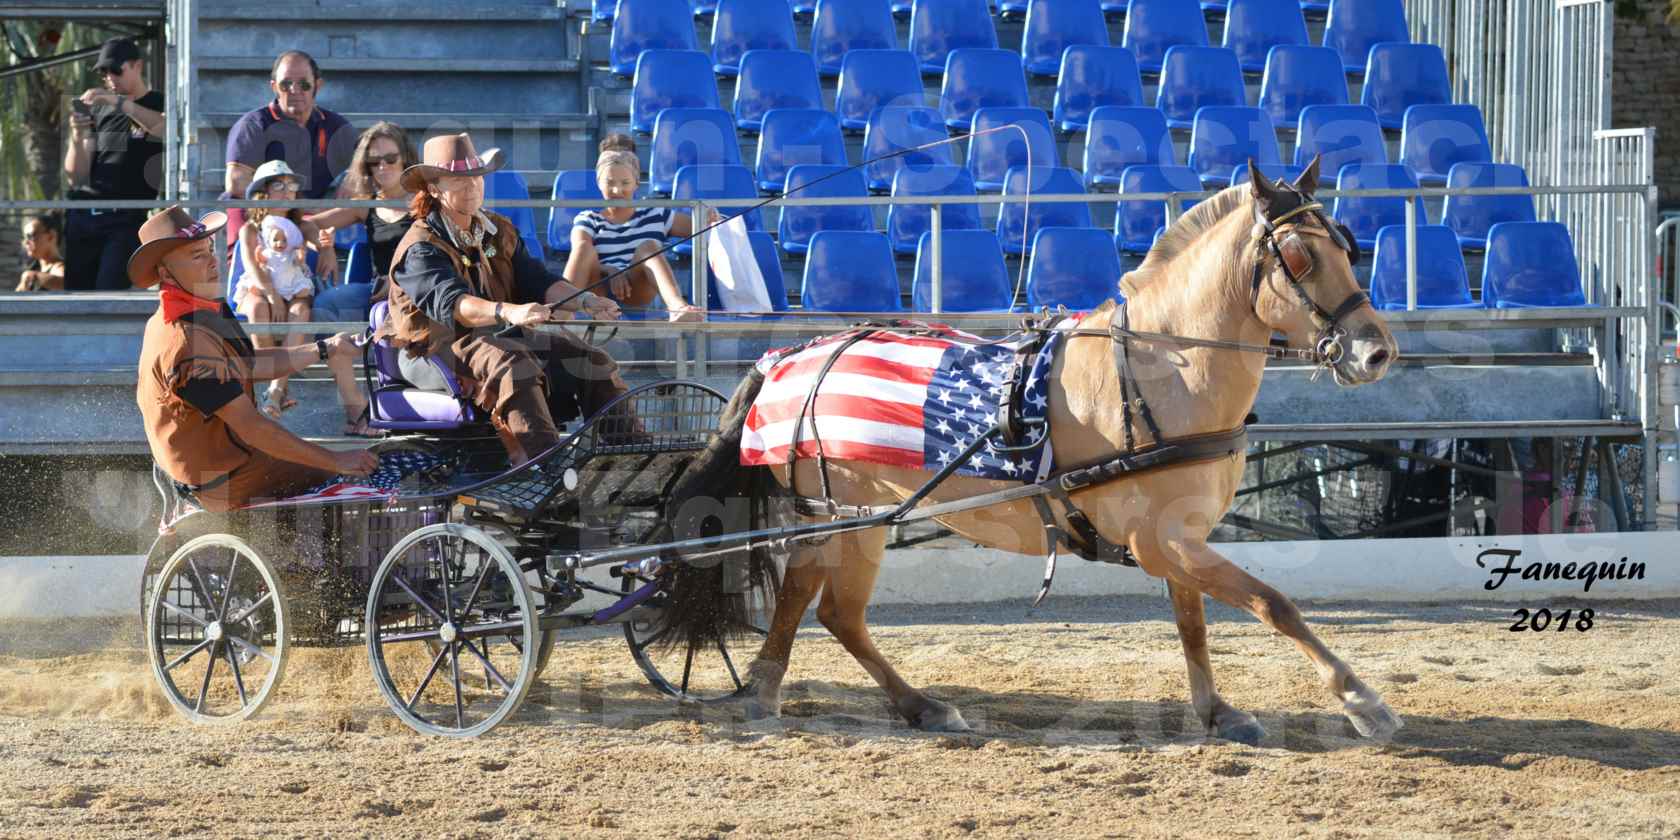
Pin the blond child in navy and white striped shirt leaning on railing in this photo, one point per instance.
(609, 243)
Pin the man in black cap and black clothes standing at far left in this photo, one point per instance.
(115, 154)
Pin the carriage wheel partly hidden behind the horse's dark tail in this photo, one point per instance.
(690, 675)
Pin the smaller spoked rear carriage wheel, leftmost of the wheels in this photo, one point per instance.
(216, 629)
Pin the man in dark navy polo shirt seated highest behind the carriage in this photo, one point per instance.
(315, 142)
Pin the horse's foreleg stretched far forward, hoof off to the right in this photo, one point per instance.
(1200, 567)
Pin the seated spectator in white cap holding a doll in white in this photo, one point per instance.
(260, 293)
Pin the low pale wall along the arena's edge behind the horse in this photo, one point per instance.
(1382, 570)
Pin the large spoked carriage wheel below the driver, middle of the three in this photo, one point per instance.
(448, 619)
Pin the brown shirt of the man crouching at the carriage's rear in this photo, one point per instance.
(189, 370)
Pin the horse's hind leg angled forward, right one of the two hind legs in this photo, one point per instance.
(843, 611)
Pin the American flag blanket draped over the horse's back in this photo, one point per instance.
(913, 397)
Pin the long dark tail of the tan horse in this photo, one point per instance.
(713, 599)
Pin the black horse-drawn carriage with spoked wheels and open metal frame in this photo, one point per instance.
(448, 572)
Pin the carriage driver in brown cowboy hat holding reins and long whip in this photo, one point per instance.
(459, 276)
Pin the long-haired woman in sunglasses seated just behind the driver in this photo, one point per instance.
(375, 174)
